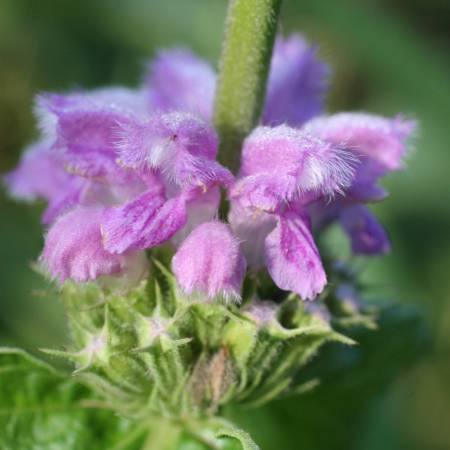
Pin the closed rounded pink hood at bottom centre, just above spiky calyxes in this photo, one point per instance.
(210, 262)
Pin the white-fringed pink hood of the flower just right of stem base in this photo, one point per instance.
(284, 164)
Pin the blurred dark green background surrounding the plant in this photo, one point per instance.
(387, 56)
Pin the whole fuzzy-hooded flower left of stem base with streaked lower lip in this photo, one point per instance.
(181, 148)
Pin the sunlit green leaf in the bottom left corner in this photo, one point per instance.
(42, 409)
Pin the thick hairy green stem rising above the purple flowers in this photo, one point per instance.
(249, 35)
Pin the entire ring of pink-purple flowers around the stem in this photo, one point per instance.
(124, 171)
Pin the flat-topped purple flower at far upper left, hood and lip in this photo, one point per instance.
(80, 133)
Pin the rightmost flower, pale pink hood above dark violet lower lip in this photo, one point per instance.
(381, 144)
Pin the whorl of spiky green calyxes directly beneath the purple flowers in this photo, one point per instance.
(154, 351)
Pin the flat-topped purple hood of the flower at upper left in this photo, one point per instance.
(85, 127)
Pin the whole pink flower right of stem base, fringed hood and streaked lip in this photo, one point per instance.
(282, 171)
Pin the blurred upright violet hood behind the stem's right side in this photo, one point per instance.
(297, 83)
